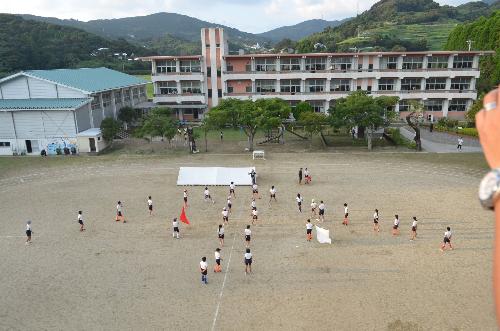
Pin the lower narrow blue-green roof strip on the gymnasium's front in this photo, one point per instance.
(42, 104)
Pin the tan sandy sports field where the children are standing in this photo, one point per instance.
(135, 276)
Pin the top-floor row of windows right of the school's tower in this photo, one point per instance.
(347, 63)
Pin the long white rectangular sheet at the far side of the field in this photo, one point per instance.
(214, 176)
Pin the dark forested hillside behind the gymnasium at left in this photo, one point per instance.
(26, 44)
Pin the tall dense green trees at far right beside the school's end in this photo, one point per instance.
(485, 34)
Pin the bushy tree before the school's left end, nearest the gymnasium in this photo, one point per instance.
(160, 123)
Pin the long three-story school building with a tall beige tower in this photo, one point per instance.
(444, 81)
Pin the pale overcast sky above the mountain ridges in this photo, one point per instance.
(247, 15)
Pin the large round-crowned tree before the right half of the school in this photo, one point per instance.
(361, 110)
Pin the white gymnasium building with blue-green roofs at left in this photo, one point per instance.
(48, 109)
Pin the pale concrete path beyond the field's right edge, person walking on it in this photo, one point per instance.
(441, 142)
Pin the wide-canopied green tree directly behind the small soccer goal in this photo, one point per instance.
(250, 116)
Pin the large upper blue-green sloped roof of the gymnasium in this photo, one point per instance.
(88, 79)
